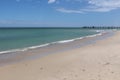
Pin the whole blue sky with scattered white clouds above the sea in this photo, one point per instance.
(59, 13)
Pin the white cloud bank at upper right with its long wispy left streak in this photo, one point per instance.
(94, 6)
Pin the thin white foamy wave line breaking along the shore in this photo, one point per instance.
(100, 32)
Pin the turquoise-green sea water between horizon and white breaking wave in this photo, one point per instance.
(22, 38)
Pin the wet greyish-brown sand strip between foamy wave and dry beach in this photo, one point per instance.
(59, 46)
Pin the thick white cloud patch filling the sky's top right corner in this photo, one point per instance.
(103, 5)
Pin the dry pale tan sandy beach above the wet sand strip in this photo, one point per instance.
(98, 61)
